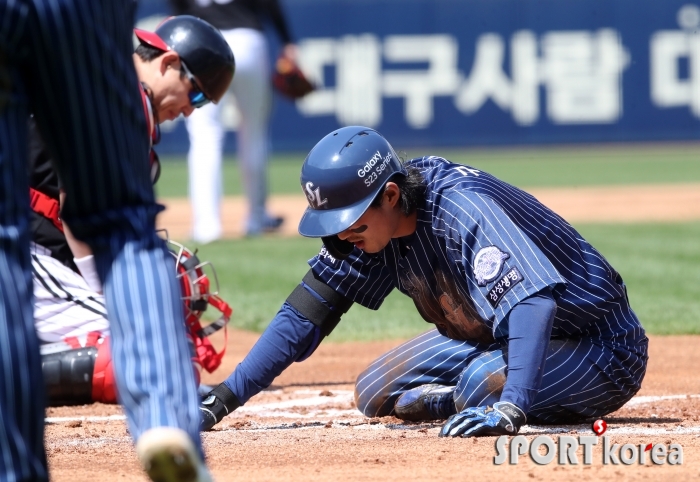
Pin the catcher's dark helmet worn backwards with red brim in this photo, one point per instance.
(201, 48)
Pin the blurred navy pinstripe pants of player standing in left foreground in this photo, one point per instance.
(69, 62)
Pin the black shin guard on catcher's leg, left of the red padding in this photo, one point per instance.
(68, 376)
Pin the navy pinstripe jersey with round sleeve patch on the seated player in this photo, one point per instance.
(481, 246)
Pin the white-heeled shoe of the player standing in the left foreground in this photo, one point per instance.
(168, 455)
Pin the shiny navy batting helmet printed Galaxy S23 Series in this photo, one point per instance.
(341, 176)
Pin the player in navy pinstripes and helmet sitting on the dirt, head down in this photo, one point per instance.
(532, 323)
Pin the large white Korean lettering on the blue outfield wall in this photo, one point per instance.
(579, 70)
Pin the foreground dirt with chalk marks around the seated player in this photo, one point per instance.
(305, 427)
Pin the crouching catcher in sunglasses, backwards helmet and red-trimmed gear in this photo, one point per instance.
(183, 65)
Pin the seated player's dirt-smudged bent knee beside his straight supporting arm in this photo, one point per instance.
(481, 383)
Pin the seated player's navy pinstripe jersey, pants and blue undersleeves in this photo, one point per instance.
(482, 251)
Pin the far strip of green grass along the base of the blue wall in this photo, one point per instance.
(524, 167)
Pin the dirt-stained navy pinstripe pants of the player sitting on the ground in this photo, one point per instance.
(584, 377)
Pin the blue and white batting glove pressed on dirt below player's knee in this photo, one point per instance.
(503, 418)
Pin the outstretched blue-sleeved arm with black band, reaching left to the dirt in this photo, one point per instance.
(309, 314)
